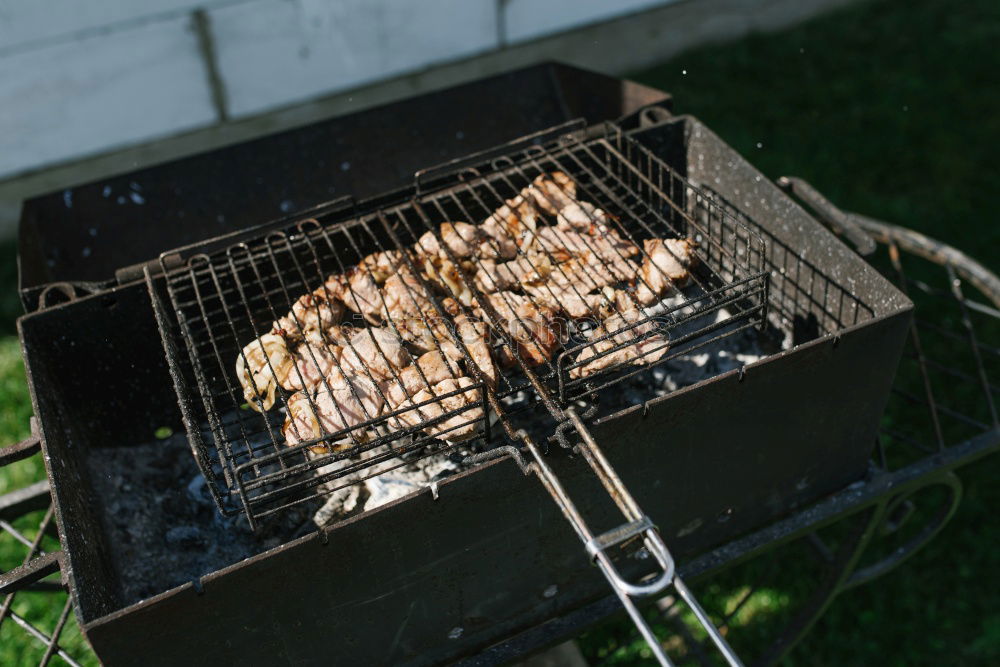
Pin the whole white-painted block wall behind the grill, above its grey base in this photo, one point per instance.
(83, 78)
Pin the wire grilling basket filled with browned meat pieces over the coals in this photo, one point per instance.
(563, 325)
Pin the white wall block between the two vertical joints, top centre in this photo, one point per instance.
(273, 53)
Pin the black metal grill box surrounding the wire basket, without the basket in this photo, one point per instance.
(423, 579)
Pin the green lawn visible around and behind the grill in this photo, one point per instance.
(890, 109)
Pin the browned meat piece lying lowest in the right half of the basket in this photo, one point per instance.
(647, 348)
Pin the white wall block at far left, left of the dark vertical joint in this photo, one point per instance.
(89, 95)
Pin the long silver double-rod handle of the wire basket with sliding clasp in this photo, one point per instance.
(638, 524)
